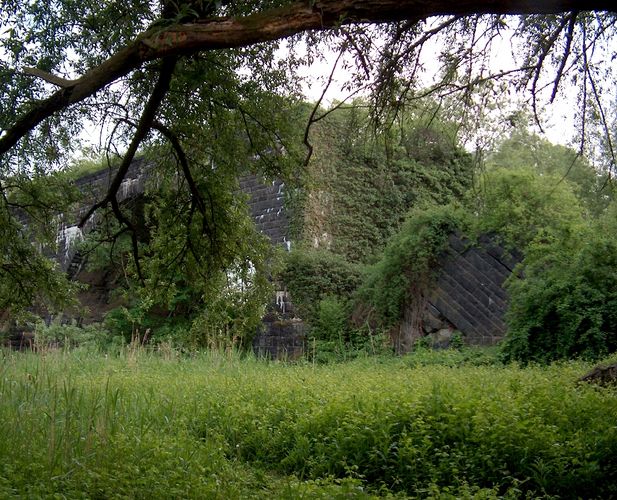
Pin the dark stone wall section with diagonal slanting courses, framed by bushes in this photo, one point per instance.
(467, 295)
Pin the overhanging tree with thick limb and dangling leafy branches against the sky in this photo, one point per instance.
(205, 88)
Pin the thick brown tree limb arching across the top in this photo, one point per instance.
(266, 26)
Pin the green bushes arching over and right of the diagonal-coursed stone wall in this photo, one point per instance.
(530, 212)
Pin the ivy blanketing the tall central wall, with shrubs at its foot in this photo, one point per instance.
(361, 184)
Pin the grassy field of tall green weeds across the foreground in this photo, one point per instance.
(82, 425)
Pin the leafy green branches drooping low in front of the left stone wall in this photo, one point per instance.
(210, 288)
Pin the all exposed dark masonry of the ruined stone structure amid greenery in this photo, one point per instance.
(467, 295)
